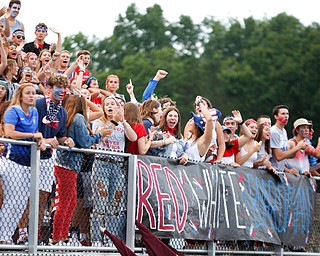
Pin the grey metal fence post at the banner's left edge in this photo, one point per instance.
(131, 206)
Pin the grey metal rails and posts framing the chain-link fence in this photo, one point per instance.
(211, 248)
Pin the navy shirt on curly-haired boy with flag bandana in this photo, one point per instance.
(51, 129)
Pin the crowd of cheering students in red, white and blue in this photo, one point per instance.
(45, 99)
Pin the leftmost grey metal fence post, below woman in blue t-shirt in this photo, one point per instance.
(34, 199)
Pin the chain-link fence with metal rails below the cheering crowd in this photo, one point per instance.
(47, 208)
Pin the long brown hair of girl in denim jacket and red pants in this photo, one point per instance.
(75, 105)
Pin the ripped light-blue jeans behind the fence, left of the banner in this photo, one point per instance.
(109, 185)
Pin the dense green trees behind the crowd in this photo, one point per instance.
(250, 65)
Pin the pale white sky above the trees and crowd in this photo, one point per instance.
(98, 17)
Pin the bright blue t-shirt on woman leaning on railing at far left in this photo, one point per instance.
(22, 123)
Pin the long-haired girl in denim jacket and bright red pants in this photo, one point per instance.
(68, 164)
